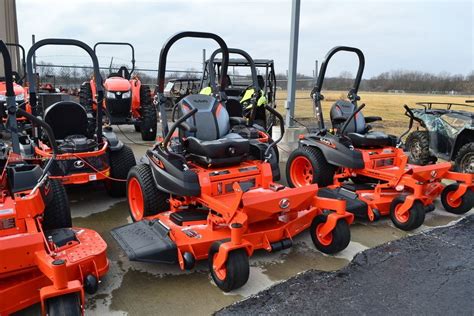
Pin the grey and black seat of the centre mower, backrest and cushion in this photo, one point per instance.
(212, 144)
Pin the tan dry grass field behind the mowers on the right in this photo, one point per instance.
(387, 105)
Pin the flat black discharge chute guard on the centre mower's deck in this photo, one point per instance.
(146, 241)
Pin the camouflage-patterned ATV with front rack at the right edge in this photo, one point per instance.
(445, 133)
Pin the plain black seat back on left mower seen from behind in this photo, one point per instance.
(66, 118)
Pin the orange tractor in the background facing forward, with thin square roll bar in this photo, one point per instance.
(127, 101)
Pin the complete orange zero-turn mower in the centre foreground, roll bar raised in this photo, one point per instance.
(207, 193)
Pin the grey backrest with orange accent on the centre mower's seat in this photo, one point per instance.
(211, 120)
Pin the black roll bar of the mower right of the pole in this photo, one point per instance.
(352, 95)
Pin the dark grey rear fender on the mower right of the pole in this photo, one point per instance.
(336, 154)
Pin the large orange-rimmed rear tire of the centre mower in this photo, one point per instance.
(147, 200)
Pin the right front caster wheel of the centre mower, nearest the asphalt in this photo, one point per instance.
(335, 241)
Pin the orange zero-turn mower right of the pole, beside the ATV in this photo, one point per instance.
(368, 169)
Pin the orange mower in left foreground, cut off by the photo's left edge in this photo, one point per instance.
(43, 259)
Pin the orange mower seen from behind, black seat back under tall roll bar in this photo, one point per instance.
(87, 151)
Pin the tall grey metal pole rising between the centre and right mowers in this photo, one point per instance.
(292, 70)
